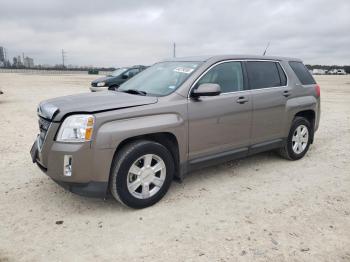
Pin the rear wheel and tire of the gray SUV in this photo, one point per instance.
(296, 148)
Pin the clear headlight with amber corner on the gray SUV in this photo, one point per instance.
(76, 128)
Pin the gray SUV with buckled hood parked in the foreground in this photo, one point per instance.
(172, 118)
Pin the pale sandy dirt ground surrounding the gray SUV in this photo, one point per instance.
(261, 208)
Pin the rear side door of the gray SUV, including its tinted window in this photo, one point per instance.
(269, 91)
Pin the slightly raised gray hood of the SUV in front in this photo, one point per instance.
(55, 109)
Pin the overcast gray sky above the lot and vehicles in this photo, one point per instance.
(118, 33)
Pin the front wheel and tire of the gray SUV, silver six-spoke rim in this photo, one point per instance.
(133, 165)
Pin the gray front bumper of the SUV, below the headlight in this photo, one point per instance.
(81, 181)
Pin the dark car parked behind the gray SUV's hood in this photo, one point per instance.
(116, 78)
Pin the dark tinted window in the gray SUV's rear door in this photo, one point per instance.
(263, 74)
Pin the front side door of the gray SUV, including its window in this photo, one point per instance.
(220, 123)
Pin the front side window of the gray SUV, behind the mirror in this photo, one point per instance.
(228, 75)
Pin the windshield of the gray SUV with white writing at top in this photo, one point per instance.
(161, 79)
